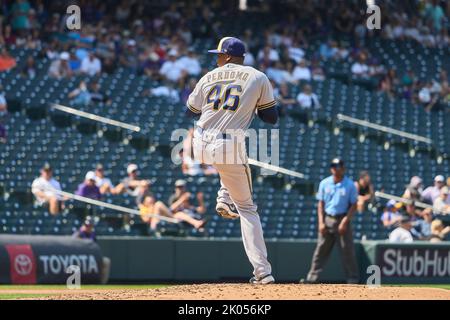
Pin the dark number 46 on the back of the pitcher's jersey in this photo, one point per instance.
(229, 100)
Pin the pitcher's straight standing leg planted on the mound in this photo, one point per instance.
(236, 179)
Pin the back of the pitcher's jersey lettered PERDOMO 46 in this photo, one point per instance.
(227, 97)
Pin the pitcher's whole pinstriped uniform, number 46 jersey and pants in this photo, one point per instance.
(227, 99)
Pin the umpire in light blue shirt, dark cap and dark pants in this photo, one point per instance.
(337, 198)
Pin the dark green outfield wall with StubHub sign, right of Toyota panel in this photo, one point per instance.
(198, 260)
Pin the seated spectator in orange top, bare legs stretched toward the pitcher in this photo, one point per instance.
(150, 206)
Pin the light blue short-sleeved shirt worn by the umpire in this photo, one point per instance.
(337, 197)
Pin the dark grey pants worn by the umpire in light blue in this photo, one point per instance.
(325, 245)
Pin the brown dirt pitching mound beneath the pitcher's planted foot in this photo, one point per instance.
(252, 292)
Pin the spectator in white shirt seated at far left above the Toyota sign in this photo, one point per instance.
(43, 188)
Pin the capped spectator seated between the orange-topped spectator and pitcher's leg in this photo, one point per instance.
(180, 201)
